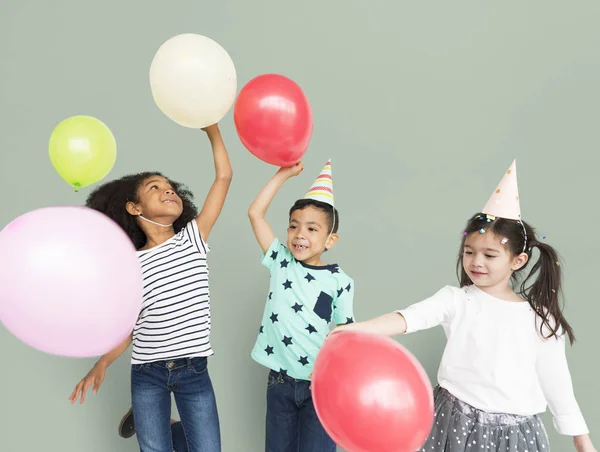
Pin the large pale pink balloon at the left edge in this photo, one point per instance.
(70, 281)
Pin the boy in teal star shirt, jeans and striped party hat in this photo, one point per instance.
(305, 297)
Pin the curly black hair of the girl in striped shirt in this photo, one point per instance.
(112, 197)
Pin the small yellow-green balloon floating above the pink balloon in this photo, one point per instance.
(82, 150)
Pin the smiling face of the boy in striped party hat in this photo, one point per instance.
(309, 235)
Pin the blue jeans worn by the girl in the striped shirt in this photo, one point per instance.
(188, 380)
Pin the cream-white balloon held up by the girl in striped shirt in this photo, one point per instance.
(193, 80)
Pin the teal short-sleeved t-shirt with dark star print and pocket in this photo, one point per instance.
(303, 301)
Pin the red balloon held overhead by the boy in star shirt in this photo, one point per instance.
(274, 119)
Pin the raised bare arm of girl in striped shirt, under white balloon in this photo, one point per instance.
(215, 199)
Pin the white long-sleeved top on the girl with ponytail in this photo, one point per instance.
(496, 359)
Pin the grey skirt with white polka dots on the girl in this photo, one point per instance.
(458, 427)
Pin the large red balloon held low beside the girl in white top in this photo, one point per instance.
(371, 394)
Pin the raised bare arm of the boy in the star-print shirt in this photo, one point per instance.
(258, 209)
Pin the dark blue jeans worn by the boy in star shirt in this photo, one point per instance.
(292, 422)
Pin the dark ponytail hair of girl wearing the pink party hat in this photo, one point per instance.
(542, 287)
